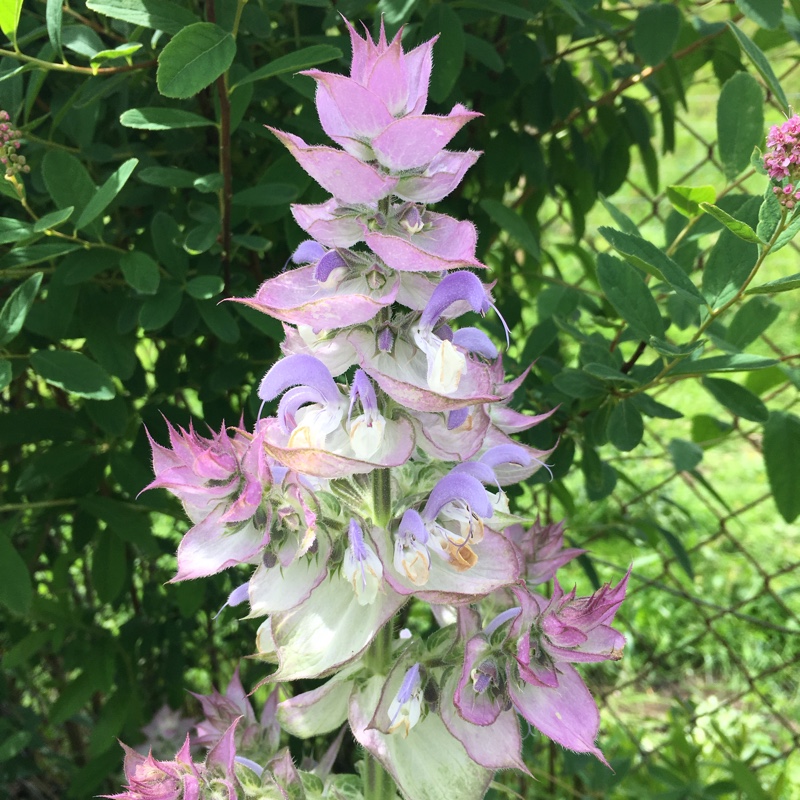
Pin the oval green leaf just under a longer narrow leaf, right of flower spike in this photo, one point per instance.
(627, 292)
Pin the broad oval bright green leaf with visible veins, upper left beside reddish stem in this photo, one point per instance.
(195, 57)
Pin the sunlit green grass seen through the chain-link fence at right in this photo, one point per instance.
(705, 702)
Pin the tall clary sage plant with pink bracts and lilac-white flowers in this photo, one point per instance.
(381, 478)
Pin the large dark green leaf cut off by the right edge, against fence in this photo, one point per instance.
(781, 445)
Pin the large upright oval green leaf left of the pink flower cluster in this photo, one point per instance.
(740, 122)
